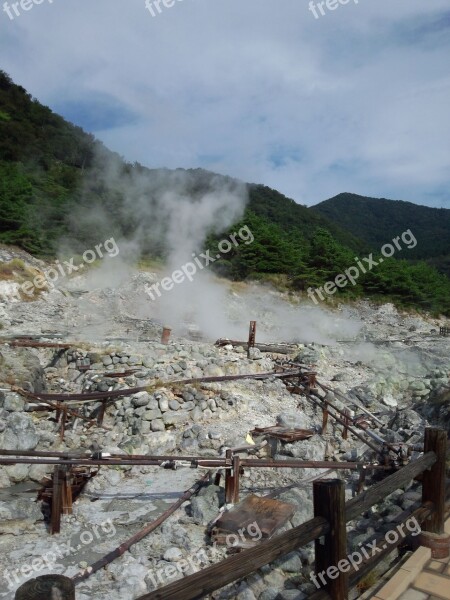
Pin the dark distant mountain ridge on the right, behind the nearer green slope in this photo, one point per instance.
(378, 220)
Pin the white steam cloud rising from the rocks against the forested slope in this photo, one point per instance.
(175, 211)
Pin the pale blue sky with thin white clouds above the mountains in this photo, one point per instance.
(273, 92)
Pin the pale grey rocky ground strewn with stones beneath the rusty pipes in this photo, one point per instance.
(395, 364)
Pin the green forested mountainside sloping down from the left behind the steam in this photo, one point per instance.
(54, 178)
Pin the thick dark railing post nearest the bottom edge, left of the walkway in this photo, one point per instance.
(329, 503)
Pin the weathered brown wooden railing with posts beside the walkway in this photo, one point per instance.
(331, 514)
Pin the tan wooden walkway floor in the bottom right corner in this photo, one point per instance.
(419, 578)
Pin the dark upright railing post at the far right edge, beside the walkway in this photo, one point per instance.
(433, 484)
